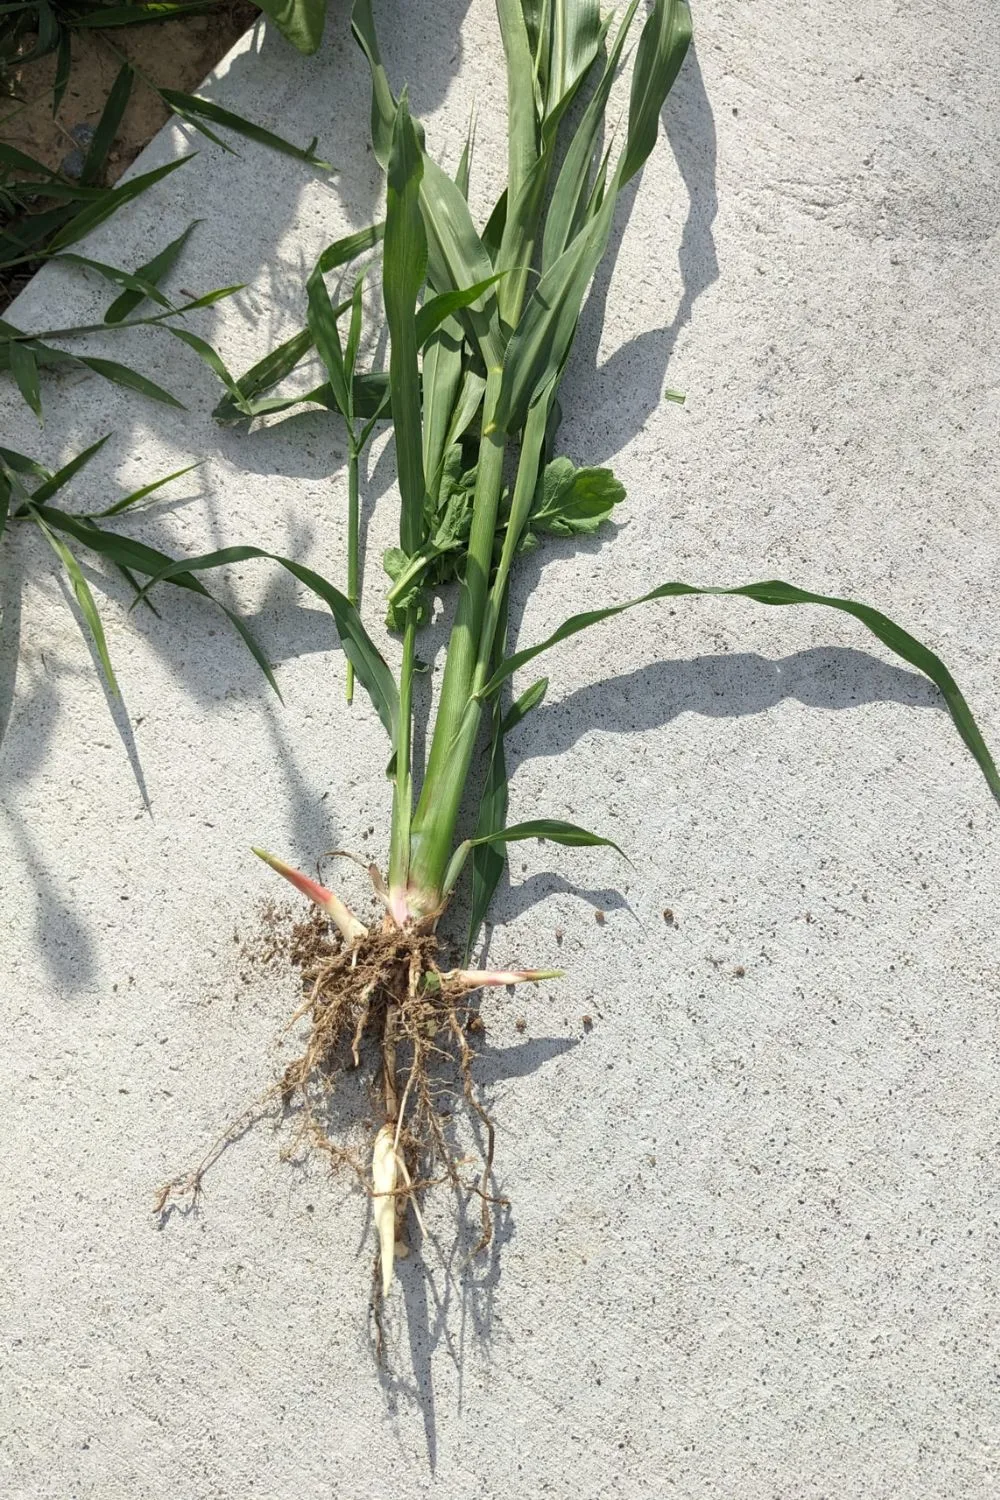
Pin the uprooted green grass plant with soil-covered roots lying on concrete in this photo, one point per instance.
(481, 328)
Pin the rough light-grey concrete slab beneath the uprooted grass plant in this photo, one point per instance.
(752, 1240)
